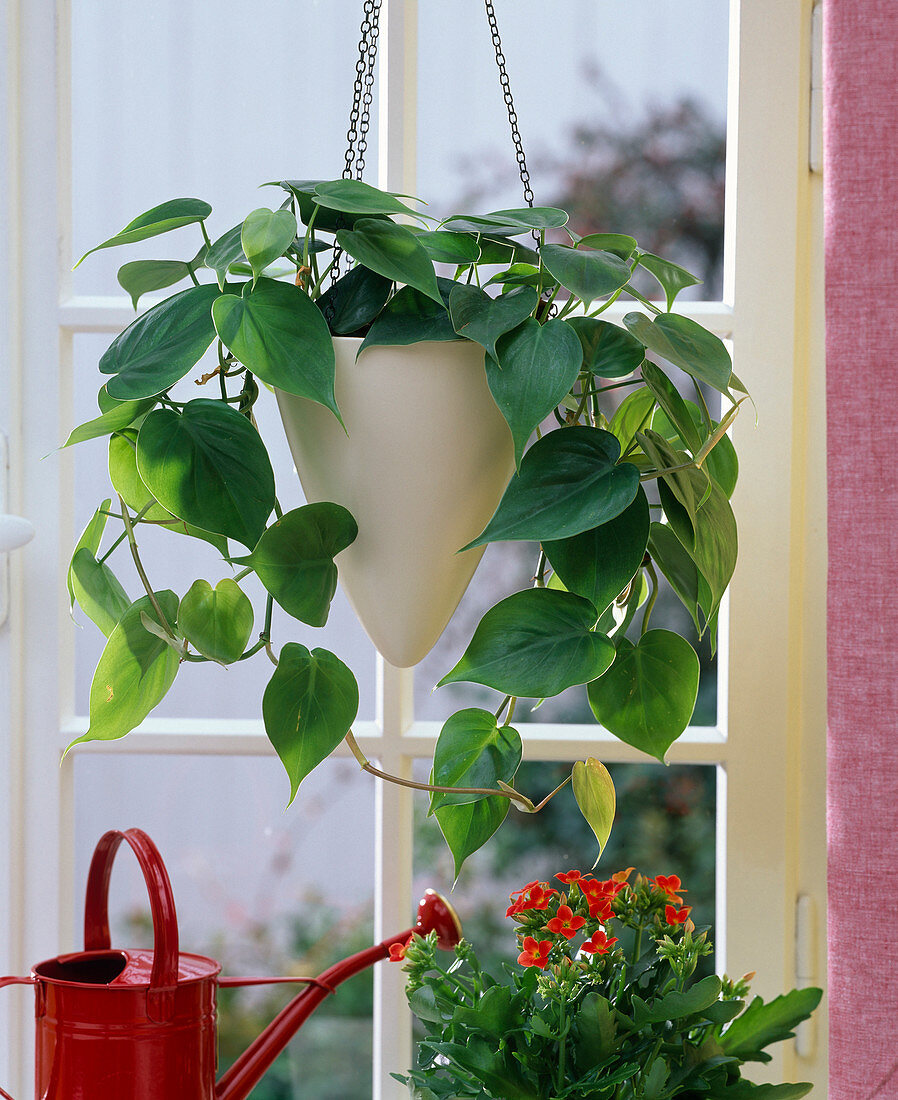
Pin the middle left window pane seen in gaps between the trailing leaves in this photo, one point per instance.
(201, 691)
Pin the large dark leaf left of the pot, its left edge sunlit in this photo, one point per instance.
(209, 467)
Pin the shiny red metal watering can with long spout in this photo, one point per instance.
(141, 1025)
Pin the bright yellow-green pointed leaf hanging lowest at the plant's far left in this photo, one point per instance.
(135, 672)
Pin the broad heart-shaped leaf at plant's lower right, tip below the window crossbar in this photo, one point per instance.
(648, 697)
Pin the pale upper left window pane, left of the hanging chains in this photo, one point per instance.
(209, 100)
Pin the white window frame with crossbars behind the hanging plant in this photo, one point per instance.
(769, 742)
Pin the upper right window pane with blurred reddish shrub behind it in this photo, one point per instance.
(622, 111)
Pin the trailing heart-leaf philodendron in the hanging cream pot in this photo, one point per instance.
(265, 295)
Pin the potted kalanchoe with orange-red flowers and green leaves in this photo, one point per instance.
(603, 1004)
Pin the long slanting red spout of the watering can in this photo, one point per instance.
(435, 915)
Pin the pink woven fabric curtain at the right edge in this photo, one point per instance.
(861, 180)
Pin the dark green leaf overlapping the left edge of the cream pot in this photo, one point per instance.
(294, 559)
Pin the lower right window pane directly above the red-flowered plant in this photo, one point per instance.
(665, 826)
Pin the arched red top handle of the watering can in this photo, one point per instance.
(163, 977)
